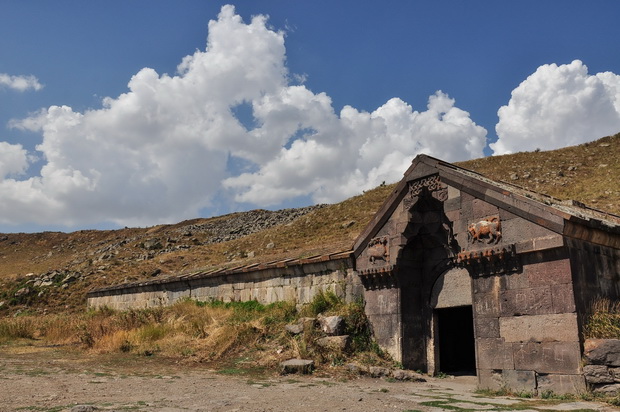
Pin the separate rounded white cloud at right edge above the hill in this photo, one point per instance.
(559, 106)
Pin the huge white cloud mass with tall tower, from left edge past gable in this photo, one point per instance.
(163, 150)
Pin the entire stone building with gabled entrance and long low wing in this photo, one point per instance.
(458, 273)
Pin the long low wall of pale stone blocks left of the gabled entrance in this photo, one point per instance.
(298, 283)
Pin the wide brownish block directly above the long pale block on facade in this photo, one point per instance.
(530, 301)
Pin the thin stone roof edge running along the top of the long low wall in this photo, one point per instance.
(225, 271)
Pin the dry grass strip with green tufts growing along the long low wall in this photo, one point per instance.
(188, 331)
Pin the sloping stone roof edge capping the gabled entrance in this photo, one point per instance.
(497, 193)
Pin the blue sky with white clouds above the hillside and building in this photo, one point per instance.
(118, 113)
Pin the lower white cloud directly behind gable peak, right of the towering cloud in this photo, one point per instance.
(342, 155)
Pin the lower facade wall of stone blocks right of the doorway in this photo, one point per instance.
(526, 326)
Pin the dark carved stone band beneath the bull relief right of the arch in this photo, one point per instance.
(494, 261)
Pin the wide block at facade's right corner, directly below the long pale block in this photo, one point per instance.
(548, 357)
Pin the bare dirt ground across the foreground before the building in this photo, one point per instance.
(57, 379)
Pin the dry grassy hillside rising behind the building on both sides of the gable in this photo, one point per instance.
(54, 270)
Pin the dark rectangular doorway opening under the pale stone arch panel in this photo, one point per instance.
(457, 353)
